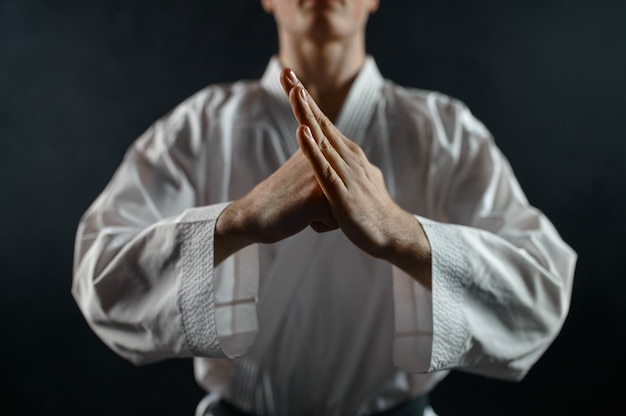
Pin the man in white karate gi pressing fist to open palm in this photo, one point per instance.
(324, 244)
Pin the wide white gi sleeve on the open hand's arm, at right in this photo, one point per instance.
(501, 274)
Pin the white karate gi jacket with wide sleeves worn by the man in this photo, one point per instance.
(313, 325)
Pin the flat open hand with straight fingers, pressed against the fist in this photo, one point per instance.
(356, 191)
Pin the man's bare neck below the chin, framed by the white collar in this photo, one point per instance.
(327, 70)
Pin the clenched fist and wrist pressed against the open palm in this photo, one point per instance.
(279, 207)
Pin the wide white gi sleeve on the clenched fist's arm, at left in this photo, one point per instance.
(143, 264)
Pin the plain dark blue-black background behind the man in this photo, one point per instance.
(80, 80)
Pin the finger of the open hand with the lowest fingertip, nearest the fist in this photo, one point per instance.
(329, 181)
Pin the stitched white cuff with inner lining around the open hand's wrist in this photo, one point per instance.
(432, 322)
